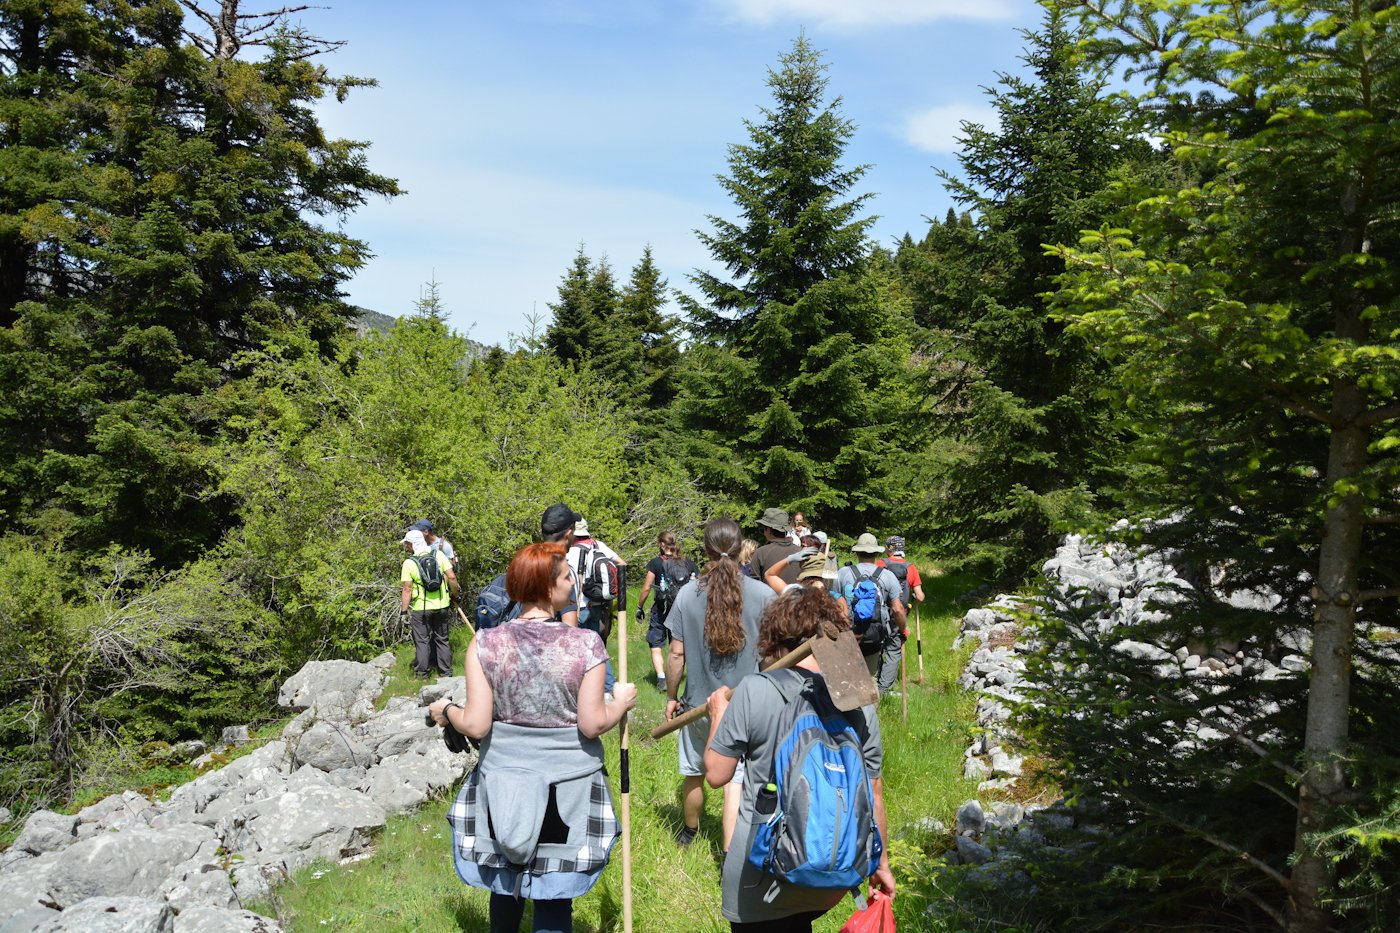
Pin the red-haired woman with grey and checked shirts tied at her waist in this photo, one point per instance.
(535, 819)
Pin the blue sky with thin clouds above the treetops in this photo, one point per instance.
(523, 131)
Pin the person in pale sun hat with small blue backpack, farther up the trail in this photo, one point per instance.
(877, 613)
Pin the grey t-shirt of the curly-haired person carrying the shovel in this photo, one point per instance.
(750, 732)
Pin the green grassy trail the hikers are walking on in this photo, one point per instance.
(409, 883)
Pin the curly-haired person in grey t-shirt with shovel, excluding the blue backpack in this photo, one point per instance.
(748, 732)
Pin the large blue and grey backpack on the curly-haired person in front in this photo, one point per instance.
(817, 820)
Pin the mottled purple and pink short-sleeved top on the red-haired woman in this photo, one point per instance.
(535, 669)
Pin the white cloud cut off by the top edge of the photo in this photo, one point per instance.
(867, 13)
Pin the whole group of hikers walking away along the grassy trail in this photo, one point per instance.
(535, 819)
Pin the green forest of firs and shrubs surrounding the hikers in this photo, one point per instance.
(1167, 313)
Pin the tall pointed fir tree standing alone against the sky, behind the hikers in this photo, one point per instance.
(782, 408)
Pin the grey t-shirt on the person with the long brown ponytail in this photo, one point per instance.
(708, 672)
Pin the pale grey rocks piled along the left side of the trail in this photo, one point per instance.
(190, 864)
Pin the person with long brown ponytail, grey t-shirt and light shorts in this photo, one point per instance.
(715, 638)
